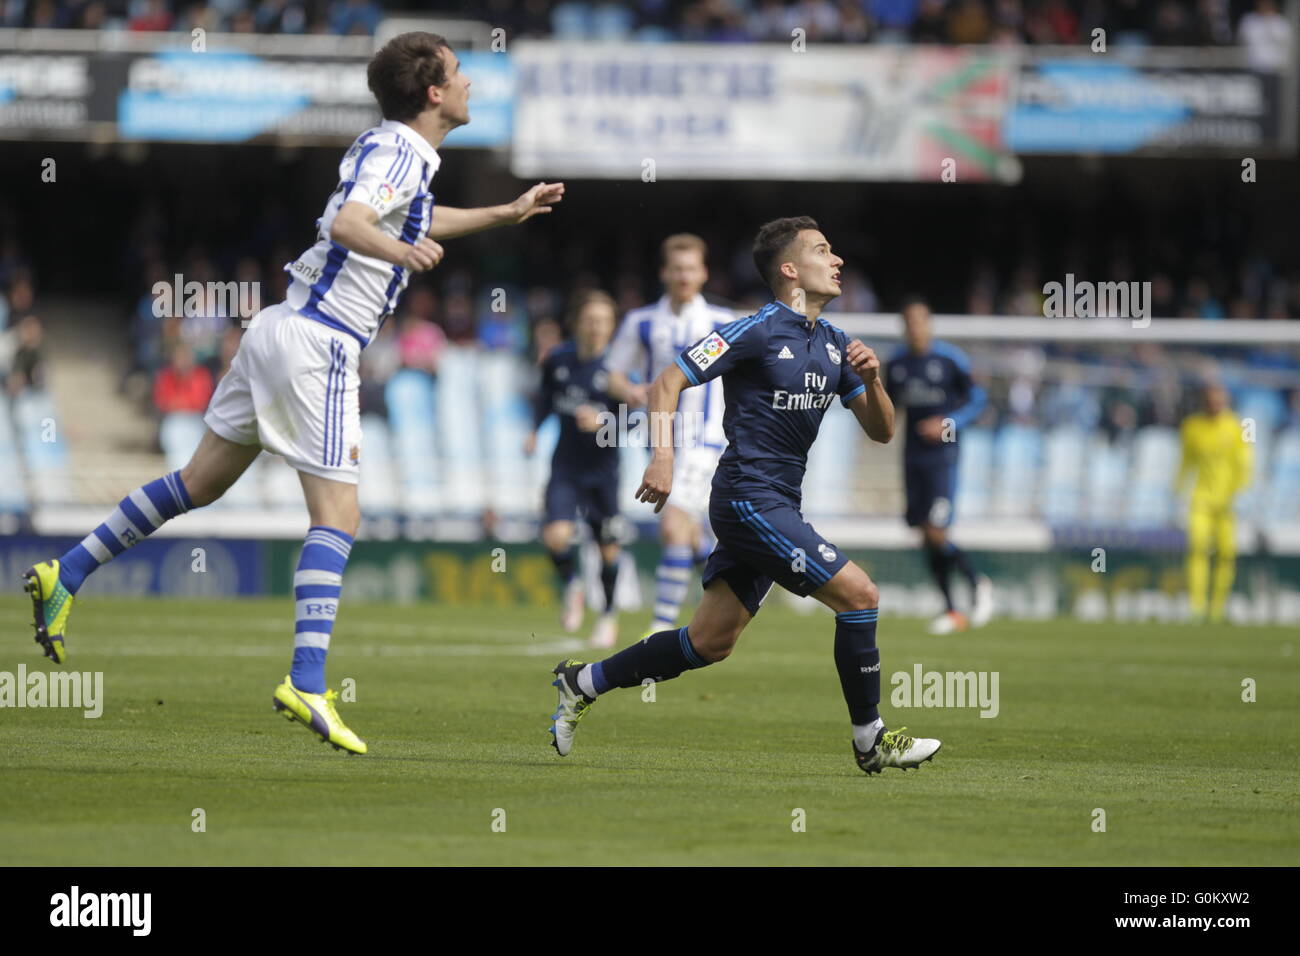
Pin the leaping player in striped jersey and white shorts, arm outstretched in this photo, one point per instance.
(293, 386)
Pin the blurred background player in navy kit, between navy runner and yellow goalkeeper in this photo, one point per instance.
(931, 382)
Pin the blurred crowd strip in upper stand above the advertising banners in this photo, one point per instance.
(1256, 24)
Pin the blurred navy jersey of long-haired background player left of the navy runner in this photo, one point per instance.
(569, 383)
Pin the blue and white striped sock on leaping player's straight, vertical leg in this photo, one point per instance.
(318, 586)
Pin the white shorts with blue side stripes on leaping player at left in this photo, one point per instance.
(293, 390)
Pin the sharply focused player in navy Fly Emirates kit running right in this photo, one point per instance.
(782, 369)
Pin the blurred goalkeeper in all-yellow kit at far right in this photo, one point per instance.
(1217, 455)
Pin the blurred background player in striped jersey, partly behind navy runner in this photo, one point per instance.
(649, 341)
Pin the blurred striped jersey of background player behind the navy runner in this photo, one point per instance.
(653, 338)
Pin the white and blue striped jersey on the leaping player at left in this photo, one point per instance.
(388, 168)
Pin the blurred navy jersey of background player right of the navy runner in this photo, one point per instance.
(938, 383)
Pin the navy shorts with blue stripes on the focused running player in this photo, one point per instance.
(765, 542)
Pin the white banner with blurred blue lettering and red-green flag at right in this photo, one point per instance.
(761, 113)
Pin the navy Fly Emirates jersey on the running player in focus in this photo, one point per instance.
(779, 375)
